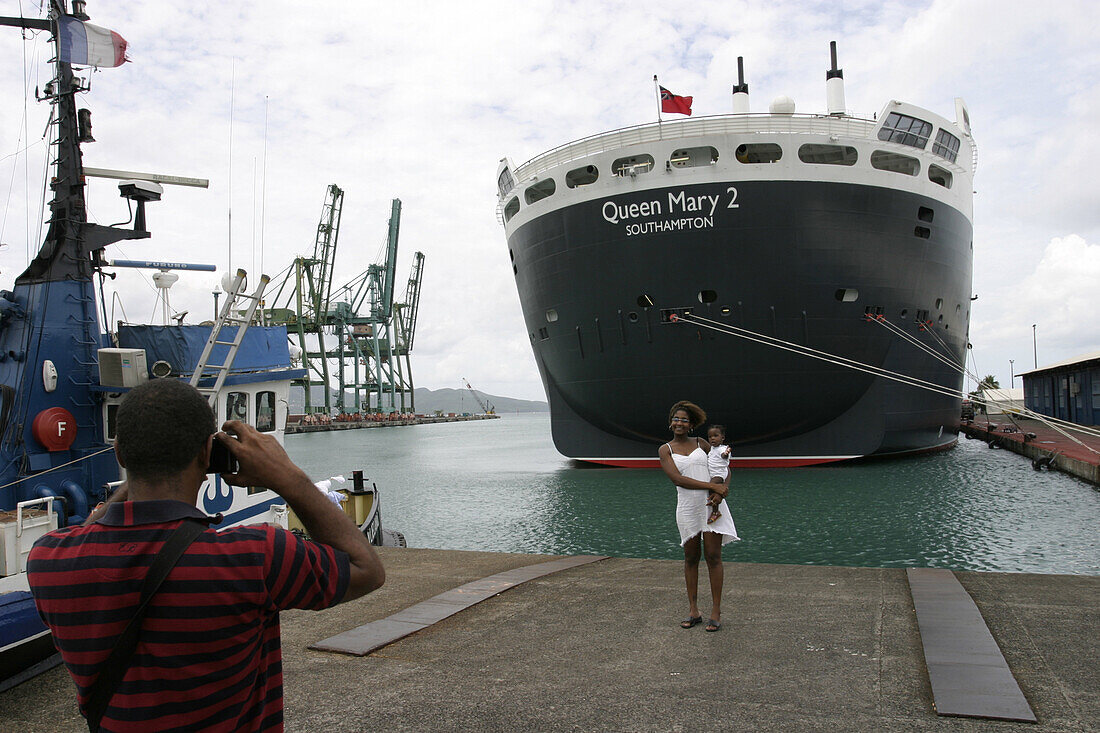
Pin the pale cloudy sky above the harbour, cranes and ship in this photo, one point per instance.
(421, 101)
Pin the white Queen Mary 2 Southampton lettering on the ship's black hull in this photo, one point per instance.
(677, 211)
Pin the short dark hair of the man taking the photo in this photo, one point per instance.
(161, 428)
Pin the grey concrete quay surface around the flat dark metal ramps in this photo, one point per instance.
(598, 648)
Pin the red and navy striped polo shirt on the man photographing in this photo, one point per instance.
(208, 657)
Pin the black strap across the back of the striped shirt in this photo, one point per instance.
(116, 666)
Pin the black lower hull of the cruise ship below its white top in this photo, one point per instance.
(804, 261)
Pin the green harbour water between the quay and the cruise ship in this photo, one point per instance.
(500, 486)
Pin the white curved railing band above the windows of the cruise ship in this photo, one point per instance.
(716, 125)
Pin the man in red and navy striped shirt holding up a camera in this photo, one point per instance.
(208, 654)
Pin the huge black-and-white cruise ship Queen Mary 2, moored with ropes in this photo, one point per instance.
(806, 279)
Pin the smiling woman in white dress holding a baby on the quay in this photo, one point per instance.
(684, 461)
